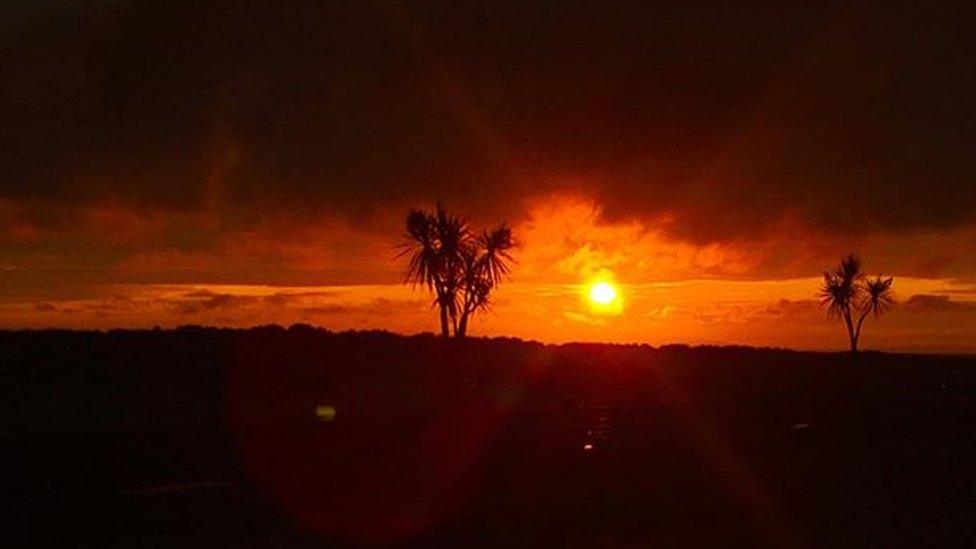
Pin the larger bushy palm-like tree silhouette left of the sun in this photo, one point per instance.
(459, 268)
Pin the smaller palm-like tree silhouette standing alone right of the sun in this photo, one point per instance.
(849, 295)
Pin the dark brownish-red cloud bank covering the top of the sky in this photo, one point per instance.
(729, 119)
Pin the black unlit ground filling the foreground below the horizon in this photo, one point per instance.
(300, 438)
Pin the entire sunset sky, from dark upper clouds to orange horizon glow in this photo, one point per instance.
(228, 163)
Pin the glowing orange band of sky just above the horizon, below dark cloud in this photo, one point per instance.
(670, 291)
